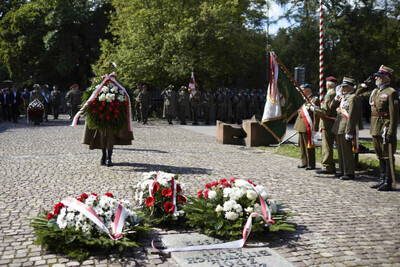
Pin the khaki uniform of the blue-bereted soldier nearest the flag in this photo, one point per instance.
(307, 149)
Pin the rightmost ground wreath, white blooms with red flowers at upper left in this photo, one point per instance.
(223, 207)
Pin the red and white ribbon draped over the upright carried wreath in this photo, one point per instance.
(106, 79)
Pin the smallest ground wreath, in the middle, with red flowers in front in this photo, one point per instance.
(160, 196)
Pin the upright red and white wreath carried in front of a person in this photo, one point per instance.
(108, 109)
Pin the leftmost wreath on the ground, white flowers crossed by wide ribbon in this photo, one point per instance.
(78, 227)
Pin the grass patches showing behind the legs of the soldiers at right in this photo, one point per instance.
(364, 167)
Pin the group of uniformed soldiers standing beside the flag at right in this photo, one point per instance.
(340, 118)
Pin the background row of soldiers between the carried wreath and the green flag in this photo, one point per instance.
(231, 106)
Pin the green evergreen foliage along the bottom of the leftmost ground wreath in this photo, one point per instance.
(80, 247)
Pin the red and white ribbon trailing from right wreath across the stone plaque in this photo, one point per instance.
(265, 216)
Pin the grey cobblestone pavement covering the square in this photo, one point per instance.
(339, 223)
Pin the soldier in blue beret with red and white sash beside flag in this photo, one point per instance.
(305, 125)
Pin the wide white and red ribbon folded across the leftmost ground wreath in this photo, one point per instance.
(117, 226)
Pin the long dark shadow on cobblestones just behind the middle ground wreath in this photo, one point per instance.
(144, 167)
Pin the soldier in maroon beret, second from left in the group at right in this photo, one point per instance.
(327, 113)
